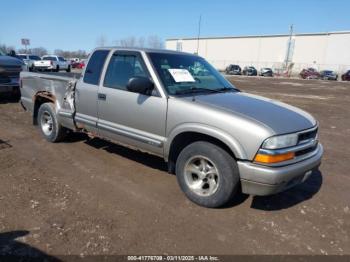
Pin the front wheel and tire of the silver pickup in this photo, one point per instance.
(215, 186)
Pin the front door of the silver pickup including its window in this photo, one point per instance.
(131, 118)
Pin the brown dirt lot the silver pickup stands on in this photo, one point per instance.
(93, 197)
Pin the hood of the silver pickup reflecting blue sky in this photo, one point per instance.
(279, 117)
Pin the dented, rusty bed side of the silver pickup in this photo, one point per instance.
(39, 88)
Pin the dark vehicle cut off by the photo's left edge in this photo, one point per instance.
(10, 67)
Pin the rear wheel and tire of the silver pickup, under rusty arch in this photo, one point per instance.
(49, 126)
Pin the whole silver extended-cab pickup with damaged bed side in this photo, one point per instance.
(175, 105)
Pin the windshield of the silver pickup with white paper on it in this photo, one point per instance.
(188, 74)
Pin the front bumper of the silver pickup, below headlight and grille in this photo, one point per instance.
(264, 180)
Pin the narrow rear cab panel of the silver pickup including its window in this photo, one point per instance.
(86, 91)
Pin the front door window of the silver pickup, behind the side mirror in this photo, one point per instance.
(121, 68)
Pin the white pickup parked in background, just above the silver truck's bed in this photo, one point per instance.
(52, 63)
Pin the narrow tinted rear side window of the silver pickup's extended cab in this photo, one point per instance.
(94, 68)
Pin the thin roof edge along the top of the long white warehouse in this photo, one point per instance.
(251, 36)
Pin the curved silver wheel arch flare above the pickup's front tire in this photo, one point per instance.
(219, 134)
